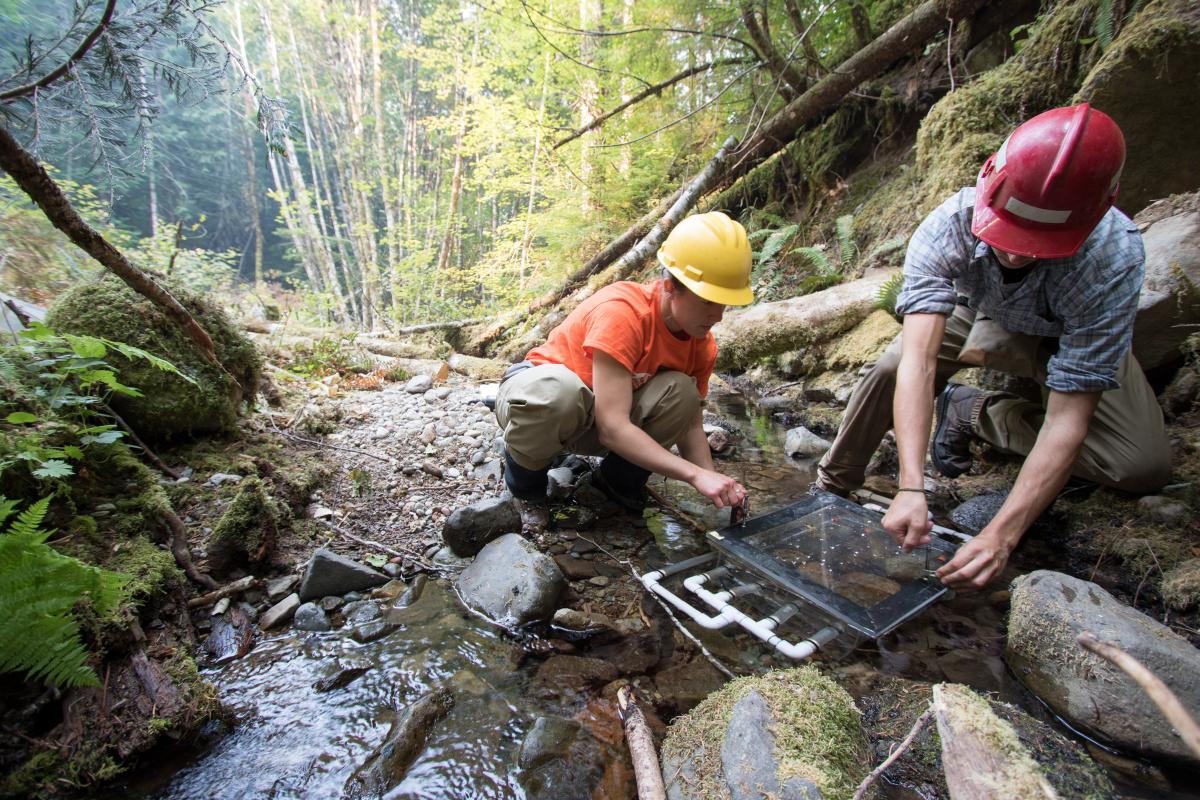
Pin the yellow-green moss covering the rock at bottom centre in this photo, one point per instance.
(818, 733)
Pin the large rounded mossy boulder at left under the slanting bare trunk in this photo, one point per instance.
(170, 407)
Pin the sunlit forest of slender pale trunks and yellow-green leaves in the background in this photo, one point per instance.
(391, 163)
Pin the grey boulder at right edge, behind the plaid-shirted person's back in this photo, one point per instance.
(1169, 306)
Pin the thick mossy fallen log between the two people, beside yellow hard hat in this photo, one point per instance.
(775, 328)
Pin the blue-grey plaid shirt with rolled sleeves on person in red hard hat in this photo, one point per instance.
(1088, 300)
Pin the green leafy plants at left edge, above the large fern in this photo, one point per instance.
(52, 388)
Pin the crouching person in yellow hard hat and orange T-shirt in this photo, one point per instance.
(625, 377)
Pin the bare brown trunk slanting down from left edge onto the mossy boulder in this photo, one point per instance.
(46, 194)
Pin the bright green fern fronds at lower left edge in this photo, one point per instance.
(39, 590)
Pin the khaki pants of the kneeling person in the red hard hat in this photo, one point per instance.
(1126, 447)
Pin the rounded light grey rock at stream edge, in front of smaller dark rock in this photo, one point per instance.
(512, 582)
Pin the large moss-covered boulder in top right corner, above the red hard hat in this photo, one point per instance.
(1153, 67)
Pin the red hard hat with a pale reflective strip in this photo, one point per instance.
(1052, 182)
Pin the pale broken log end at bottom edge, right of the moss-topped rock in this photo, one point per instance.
(982, 756)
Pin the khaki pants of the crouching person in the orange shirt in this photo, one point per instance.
(547, 411)
